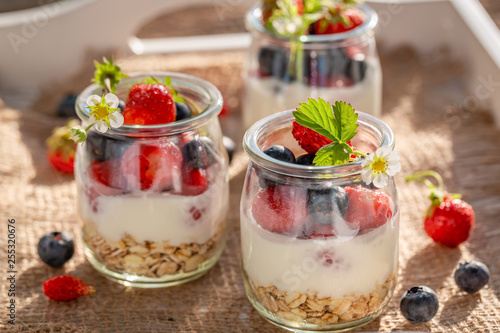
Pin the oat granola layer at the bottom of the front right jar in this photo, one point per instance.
(303, 307)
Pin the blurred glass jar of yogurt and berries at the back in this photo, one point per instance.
(280, 73)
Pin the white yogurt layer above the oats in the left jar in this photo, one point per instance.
(158, 217)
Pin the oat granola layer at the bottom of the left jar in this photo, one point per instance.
(149, 259)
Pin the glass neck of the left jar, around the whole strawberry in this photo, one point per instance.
(204, 94)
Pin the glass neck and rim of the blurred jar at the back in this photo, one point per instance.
(357, 35)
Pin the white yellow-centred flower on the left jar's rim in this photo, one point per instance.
(104, 112)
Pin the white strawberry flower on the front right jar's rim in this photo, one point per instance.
(379, 166)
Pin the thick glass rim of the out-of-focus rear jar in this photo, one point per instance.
(254, 23)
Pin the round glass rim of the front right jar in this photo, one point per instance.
(252, 135)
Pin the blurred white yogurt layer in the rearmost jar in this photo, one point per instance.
(265, 96)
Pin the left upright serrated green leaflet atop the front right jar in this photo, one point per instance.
(318, 116)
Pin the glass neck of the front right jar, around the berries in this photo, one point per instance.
(372, 134)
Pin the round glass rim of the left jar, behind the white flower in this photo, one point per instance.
(201, 86)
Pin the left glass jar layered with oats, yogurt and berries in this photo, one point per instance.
(153, 212)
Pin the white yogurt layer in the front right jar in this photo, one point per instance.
(326, 267)
